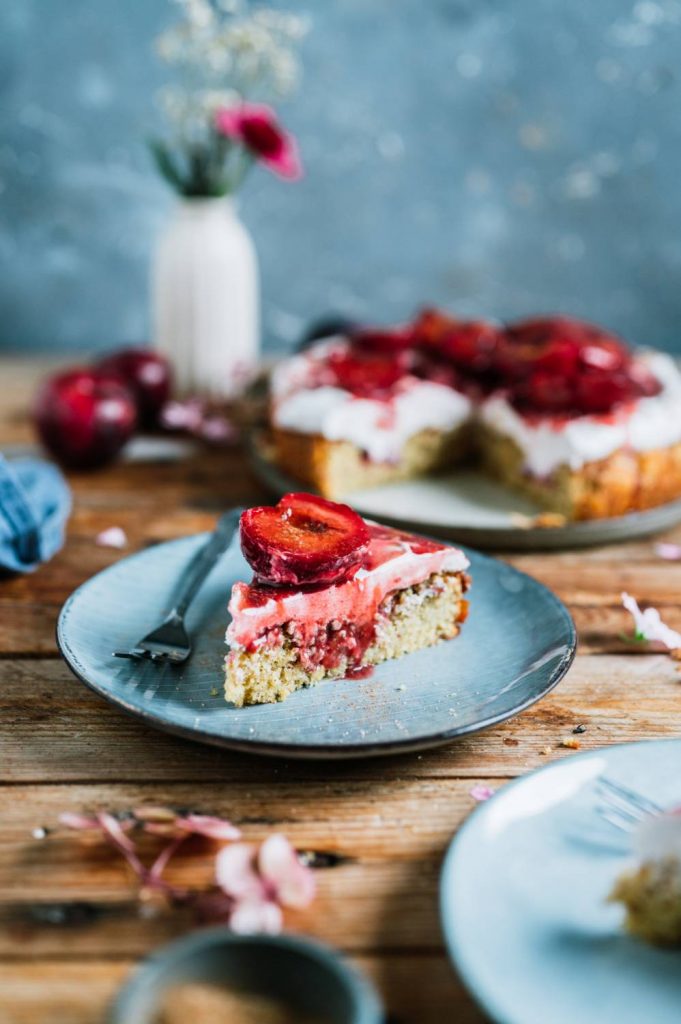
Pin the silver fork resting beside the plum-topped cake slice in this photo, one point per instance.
(171, 642)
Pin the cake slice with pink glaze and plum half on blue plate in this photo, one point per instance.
(332, 596)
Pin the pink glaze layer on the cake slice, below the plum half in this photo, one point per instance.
(395, 562)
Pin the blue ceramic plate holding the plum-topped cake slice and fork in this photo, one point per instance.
(425, 699)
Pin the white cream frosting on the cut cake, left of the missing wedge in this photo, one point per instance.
(379, 429)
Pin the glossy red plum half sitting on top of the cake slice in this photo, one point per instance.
(304, 541)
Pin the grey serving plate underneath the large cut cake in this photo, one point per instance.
(467, 506)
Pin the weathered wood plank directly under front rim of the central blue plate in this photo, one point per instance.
(53, 729)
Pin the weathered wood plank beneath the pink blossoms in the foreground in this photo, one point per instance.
(381, 892)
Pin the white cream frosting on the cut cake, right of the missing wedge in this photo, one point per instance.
(653, 423)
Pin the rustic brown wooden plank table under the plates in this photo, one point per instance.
(70, 928)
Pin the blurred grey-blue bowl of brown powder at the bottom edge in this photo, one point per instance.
(304, 974)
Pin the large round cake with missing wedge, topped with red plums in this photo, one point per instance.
(559, 410)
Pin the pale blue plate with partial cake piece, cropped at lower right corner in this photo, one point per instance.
(524, 899)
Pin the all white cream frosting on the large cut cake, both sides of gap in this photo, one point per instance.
(381, 429)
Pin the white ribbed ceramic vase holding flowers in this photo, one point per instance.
(206, 298)
